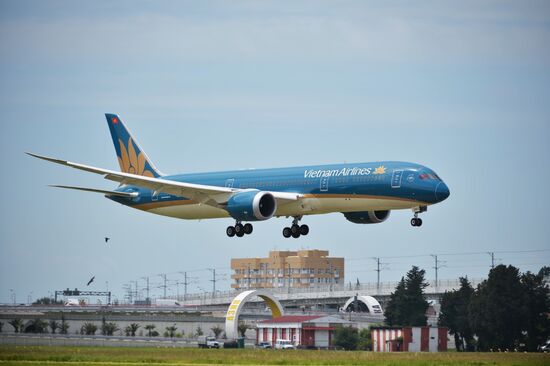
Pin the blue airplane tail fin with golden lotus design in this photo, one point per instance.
(131, 157)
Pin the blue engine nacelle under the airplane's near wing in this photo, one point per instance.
(252, 206)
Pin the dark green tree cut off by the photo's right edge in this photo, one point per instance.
(535, 309)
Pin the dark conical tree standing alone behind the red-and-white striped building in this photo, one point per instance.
(407, 306)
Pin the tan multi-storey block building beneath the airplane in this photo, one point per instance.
(297, 269)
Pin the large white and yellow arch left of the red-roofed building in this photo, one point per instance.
(236, 306)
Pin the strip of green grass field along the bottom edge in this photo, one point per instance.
(24, 355)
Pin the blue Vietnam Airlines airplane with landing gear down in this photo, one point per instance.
(365, 193)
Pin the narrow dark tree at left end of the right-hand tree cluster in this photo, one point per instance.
(454, 315)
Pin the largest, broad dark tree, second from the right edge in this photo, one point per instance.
(495, 309)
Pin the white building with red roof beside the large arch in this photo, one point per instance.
(302, 330)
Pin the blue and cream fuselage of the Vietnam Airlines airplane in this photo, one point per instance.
(349, 187)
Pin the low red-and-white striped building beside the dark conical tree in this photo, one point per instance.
(409, 339)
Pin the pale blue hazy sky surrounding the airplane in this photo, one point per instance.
(461, 87)
